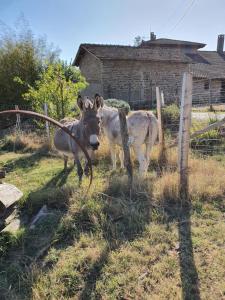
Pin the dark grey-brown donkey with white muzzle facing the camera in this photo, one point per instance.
(86, 130)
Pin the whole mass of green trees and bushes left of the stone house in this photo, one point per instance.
(32, 74)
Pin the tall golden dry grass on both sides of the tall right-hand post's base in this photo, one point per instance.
(206, 181)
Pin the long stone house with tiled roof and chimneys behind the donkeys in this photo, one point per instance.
(131, 73)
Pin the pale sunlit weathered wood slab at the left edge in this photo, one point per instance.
(9, 195)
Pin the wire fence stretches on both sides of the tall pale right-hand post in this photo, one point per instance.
(208, 107)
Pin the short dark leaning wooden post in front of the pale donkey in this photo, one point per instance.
(126, 149)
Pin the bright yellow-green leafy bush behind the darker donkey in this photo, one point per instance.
(58, 86)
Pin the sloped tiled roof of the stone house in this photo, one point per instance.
(204, 63)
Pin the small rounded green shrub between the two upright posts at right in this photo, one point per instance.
(171, 117)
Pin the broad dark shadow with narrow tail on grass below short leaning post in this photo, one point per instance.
(127, 214)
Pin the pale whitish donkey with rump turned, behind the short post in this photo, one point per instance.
(142, 130)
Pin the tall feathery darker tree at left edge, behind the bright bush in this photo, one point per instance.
(23, 56)
